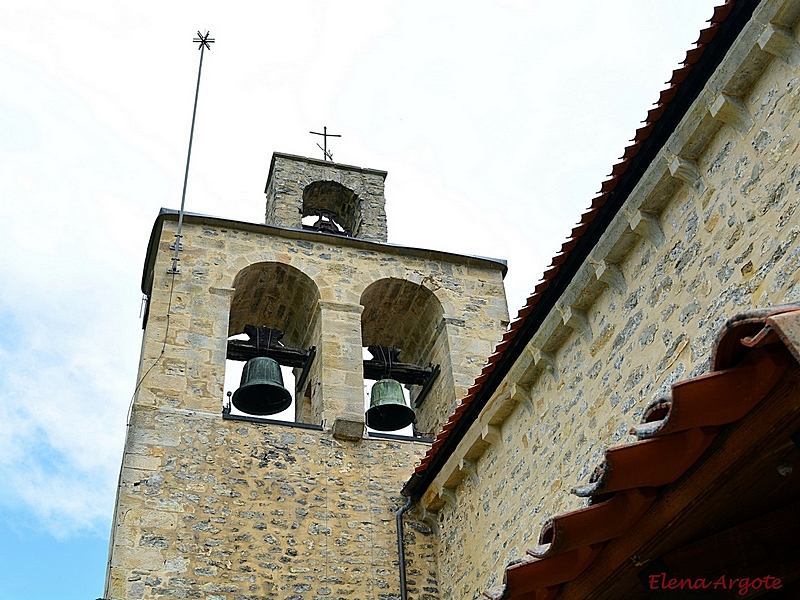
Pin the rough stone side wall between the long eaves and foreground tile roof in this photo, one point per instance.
(730, 243)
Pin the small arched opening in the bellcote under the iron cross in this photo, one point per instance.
(330, 207)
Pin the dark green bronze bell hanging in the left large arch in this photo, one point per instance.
(261, 391)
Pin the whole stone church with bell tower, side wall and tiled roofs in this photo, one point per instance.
(633, 433)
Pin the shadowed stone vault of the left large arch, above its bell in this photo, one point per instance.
(275, 295)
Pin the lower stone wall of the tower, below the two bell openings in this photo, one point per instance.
(231, 510)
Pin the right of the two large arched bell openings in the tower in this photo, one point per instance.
(406, 316)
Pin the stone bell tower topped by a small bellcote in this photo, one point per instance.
(213, 503)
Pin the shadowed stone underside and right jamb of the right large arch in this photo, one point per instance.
(409, 316)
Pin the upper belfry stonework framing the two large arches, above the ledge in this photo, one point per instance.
(190, 374)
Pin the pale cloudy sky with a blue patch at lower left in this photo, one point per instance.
(496, 120)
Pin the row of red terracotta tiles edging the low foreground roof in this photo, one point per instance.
(679, 429)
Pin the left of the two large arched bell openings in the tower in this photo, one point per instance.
(273, 313)
